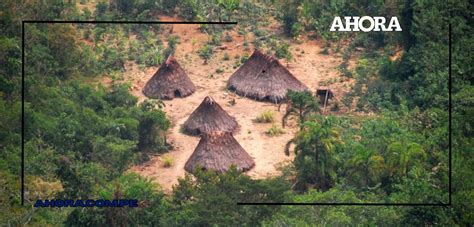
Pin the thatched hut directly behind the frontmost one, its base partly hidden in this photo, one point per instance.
(209, 117)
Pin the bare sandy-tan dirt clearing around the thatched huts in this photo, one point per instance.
(309, 66)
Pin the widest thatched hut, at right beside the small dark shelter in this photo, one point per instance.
(264, 78)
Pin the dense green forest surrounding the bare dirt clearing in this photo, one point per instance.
(80, 138)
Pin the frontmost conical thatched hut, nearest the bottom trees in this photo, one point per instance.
(218, 151)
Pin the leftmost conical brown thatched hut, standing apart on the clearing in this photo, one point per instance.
(169, 81)
